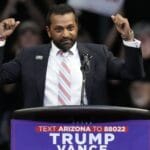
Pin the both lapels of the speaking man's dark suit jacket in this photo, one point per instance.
(41, 60)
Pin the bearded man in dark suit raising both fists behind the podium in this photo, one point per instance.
(51, 74)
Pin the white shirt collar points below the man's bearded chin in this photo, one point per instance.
(55, 50)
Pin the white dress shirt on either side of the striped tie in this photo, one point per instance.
(51, 84)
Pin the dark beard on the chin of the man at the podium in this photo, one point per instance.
(64, 44)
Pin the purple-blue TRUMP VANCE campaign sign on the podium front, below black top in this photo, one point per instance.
(121, 135)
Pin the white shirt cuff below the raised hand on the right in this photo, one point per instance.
(135, 43)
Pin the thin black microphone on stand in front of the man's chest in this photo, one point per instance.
(85, 68)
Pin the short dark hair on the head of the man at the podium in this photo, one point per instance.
(60, 9)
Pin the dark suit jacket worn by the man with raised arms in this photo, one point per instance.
(30, 68)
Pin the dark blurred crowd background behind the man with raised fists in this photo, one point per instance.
(95, 25)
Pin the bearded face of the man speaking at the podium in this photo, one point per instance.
(63, 30)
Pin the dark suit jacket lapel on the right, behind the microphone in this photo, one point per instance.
(89, 75)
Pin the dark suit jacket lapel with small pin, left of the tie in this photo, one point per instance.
(41, 60)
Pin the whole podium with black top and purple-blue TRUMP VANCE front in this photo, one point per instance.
(80, 128)
